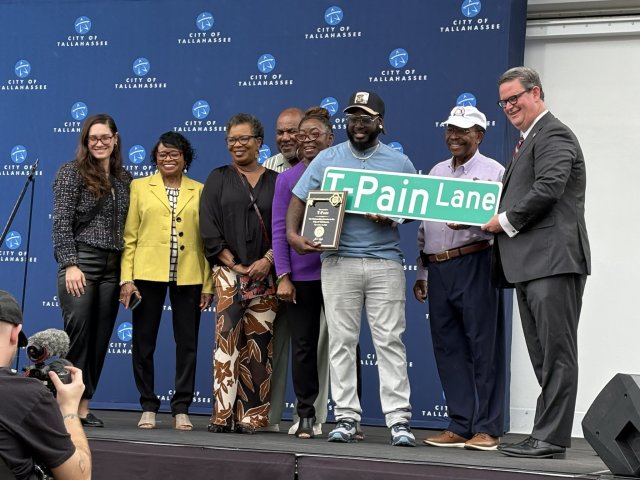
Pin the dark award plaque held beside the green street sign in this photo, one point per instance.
(323, 217)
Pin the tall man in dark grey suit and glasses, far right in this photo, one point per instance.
(542, 249)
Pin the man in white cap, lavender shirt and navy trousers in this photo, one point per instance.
(465, 311)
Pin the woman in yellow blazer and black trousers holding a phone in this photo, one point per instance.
(163, 250)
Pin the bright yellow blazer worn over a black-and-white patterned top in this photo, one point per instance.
(147, 234)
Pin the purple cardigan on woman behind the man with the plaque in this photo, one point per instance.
(302, 267)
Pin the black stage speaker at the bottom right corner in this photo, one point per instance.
(612, 425)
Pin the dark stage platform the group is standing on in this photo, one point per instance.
(122, 451)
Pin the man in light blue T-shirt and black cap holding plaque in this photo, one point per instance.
(366, 270)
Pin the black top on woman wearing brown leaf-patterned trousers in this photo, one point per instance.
(228, 219)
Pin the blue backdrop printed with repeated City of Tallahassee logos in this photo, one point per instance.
(159, 65)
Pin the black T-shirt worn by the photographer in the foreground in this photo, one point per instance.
(31, 426)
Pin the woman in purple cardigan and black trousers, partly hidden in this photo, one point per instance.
(299, 275)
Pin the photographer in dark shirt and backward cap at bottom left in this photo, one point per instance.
(32, 429)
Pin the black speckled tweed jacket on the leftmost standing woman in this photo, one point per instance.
(72, 199)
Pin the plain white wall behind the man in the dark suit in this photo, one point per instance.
(591, 84)
